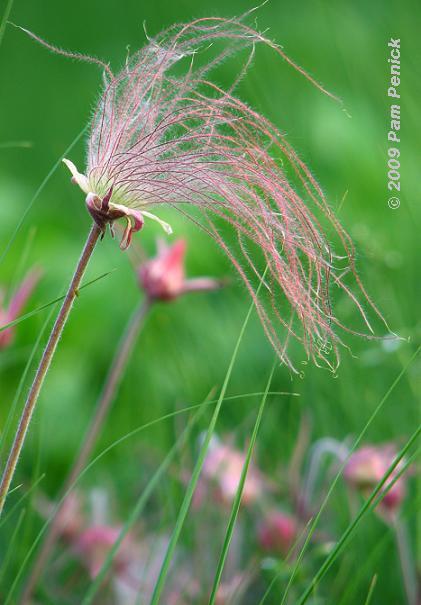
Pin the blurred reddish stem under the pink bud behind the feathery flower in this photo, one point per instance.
(105, 401)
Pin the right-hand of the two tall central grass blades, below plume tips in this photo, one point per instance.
(239, 493)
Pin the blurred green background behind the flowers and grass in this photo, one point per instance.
(185, 347)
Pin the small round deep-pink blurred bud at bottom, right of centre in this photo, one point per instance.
(277, 532)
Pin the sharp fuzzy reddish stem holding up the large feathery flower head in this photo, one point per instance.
(44, 365)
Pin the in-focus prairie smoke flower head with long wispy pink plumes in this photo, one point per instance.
(164, 134)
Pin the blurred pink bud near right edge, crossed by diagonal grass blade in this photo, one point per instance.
(367, 466)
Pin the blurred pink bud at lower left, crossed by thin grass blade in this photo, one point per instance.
(94, 545)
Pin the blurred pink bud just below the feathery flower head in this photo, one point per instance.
(163, 277)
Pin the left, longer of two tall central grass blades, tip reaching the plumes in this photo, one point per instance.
(197, 470)
